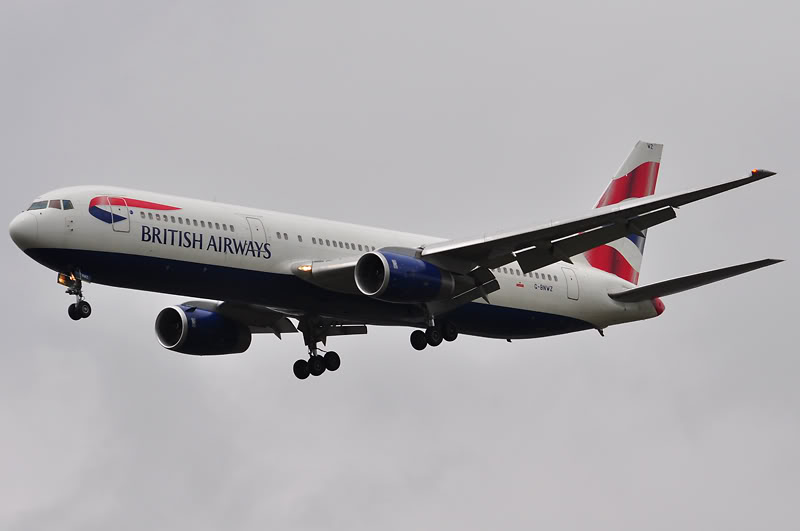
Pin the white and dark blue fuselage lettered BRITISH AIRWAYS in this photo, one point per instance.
(227, 252)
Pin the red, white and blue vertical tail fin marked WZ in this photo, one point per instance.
(635, 178)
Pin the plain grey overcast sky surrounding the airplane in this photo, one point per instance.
(450, 118)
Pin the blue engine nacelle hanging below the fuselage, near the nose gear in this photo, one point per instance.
(191, 330)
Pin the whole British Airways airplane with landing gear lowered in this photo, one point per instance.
(256, 271)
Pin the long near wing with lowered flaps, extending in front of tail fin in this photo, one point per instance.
(547, 244)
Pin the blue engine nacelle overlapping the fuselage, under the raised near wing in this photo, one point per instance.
(395, 277)
